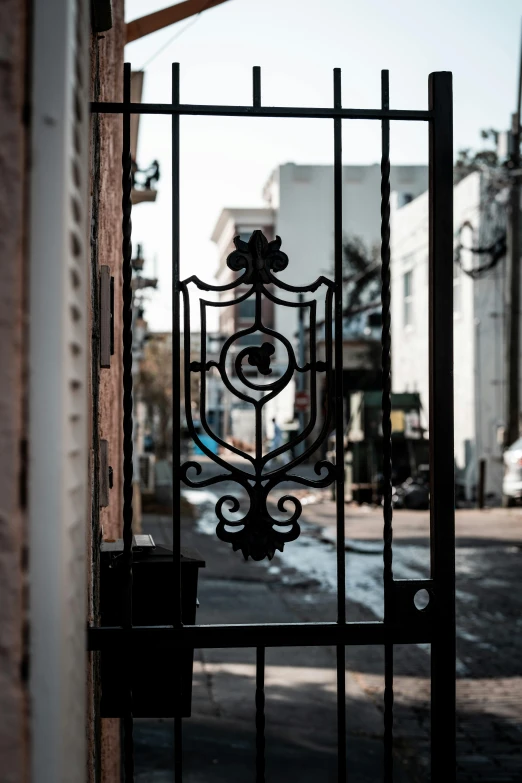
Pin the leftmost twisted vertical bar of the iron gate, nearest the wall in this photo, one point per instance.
(127, 414)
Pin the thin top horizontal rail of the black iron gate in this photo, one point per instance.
(263, 111)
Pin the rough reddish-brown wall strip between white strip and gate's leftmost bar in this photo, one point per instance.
(106, 390)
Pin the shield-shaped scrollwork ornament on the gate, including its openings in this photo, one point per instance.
(245, 367)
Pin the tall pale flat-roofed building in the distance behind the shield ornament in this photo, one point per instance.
(300, 209)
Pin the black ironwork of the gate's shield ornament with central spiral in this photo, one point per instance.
(258, 537)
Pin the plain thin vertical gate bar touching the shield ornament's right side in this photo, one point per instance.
(339, 427)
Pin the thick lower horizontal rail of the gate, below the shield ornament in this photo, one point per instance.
(259, 634)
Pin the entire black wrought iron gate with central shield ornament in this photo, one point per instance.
(258, 534)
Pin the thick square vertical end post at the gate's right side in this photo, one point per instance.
(442, 494)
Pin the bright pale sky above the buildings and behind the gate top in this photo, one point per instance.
(297, 43)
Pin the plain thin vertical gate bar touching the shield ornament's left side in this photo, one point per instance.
(176, 412)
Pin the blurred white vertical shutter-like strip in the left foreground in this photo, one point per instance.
(58, 400)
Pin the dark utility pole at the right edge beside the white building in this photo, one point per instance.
(512, 429)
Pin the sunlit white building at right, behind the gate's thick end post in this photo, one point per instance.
(478, 316)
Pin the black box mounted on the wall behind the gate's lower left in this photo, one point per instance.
(155, 671)
